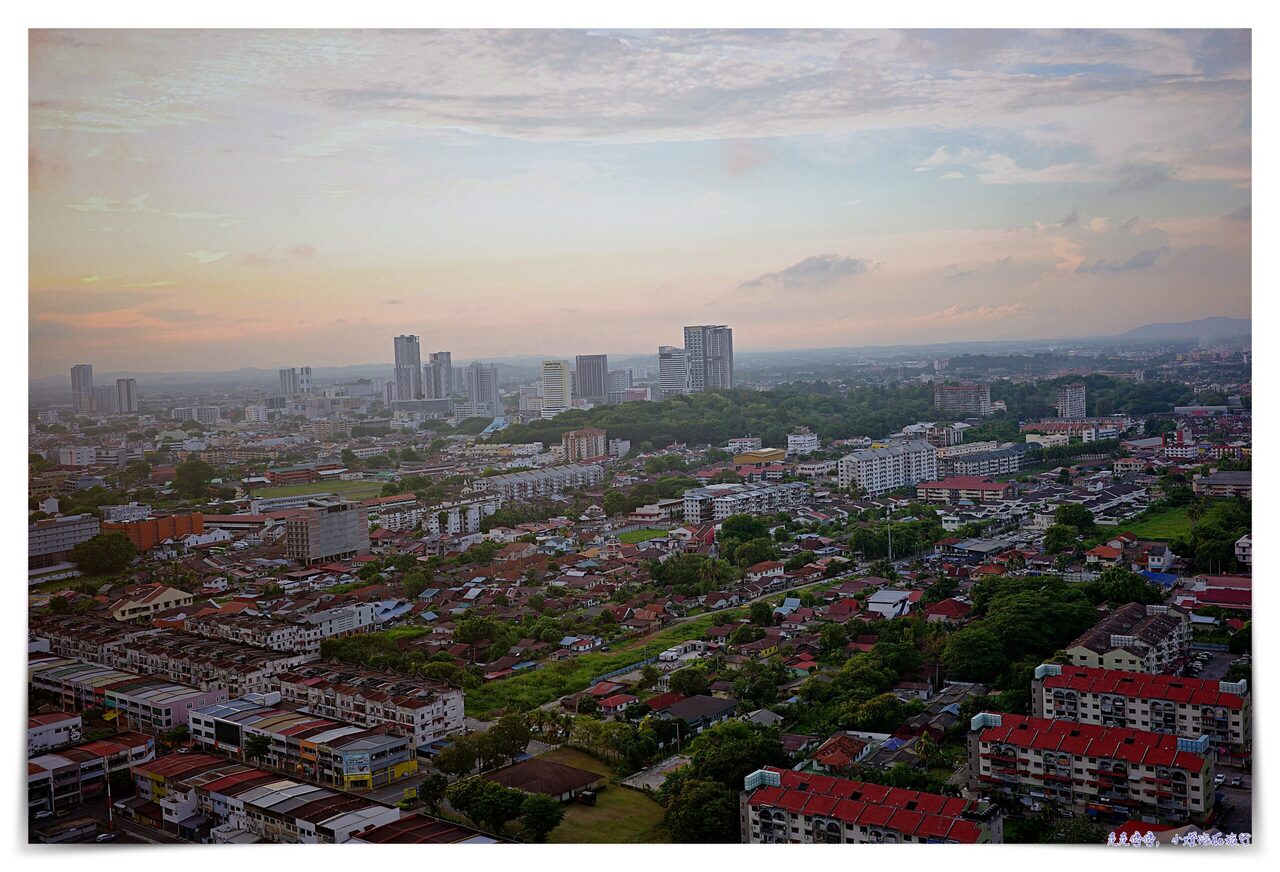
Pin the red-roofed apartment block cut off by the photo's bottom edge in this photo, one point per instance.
(803, 809)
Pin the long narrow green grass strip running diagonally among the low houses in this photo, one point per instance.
(527, 692)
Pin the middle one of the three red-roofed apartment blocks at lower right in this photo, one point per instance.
(1117, 774)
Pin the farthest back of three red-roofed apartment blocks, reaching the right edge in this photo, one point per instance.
(1181, 706)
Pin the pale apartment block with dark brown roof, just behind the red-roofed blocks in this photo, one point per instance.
(1135, 638)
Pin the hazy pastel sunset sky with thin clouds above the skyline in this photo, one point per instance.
(209, 200)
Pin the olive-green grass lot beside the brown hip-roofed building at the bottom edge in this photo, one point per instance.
(620, 815)
